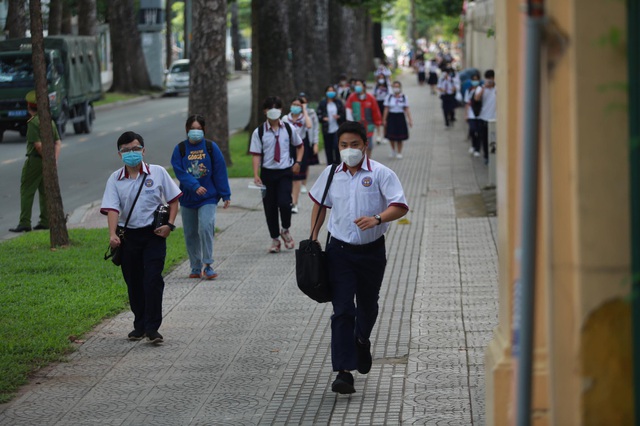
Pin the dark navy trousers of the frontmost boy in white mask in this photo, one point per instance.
(356, 276)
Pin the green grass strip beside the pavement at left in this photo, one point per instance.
(48, 296)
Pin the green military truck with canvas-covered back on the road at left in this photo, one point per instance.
(73, 76)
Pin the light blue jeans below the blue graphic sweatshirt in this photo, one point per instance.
(199, 227)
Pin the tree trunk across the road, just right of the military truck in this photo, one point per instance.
(129, 67)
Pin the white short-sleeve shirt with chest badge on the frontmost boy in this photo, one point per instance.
(369, 192)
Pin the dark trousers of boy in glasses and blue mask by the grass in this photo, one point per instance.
(143, 255)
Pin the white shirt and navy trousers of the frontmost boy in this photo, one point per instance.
(356, 259)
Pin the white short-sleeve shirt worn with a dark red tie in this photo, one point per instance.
(267, 147)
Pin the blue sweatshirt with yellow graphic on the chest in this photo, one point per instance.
(197, 168)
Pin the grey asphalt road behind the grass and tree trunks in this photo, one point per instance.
(86, 161)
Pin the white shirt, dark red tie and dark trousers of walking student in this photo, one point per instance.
(276, 150)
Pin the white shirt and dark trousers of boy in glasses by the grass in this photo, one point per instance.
(143, 252)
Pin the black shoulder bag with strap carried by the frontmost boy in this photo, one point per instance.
(312, 272)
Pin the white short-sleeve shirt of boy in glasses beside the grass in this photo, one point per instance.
(121, 190)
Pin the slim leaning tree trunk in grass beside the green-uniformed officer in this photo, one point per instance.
(58, 228)
